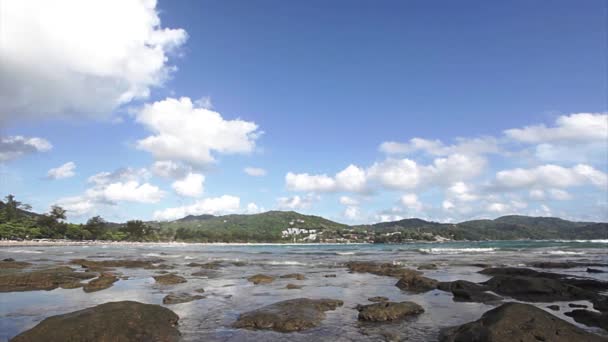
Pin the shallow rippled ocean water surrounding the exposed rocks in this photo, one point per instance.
(229, 293)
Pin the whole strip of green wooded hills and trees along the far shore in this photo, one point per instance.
(18, 222)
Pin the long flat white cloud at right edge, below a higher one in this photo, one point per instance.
(551, 176)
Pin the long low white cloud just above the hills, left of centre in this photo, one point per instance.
(222, 205)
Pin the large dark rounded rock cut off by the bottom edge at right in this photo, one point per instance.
(517, 322)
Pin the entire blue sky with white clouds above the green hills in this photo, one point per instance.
(357, 111)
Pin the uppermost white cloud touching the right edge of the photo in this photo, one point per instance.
(581, 127)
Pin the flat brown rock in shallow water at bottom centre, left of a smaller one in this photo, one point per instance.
(289, 315)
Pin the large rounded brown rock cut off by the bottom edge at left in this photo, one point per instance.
(115, 321)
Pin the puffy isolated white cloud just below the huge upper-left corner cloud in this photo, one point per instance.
(192, 134)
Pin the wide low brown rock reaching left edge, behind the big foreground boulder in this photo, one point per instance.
(46, 279)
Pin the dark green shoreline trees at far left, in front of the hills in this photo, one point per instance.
(17, 223)
